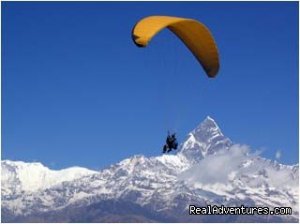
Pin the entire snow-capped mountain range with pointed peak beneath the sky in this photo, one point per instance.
(207, 170)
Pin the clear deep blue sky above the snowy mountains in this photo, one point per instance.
(77, 91)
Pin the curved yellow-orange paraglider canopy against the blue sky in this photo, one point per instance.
(191, 32)
